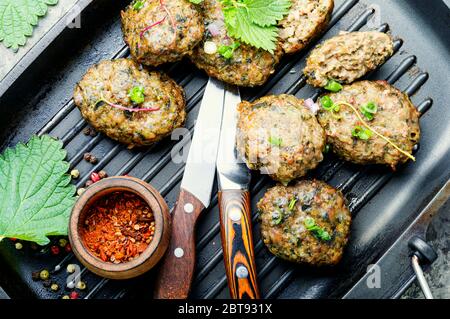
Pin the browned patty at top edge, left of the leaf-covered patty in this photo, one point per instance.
(161, 30)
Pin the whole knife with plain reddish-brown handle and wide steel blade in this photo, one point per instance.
(177, 268)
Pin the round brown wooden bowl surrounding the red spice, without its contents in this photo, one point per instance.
(150, 256)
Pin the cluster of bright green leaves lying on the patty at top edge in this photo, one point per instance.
(255, 21)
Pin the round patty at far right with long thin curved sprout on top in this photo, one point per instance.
(395, 118)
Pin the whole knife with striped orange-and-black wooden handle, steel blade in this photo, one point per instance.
(234, 205)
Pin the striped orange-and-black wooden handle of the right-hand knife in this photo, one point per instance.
(237, 243)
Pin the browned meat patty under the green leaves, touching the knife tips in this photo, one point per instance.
(247, 66)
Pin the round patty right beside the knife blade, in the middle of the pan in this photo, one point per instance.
(279, 136)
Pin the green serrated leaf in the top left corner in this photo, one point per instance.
(17, 18)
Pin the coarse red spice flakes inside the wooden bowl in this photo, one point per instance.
(118, 227)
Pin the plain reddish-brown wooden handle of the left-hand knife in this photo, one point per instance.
(177, 268)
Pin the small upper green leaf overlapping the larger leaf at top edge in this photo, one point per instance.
(267, 12)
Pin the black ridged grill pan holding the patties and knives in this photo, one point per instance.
(384, 205)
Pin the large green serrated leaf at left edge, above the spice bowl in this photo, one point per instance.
(36, 196)
